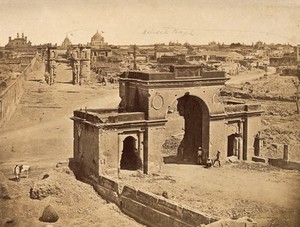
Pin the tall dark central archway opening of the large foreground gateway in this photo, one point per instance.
(196, 126)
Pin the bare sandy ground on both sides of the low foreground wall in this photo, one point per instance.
(40, 134)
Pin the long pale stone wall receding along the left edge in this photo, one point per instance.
(11, 96)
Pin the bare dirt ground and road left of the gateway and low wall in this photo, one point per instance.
(40, 134)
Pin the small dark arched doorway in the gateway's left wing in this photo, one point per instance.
(130, 159)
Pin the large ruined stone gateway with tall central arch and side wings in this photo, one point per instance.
(131, 136)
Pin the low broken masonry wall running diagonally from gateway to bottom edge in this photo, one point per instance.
(148, 208)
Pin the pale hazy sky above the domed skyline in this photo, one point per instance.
(152, 21)
